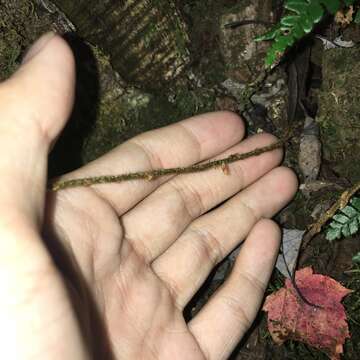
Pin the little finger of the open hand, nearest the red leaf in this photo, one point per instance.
(230, 312)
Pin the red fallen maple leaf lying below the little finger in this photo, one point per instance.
(290, 318)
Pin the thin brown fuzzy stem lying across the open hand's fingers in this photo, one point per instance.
(154, 174)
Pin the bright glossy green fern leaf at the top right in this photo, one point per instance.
(300, 19)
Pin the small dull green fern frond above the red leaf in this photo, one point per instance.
(345, 222)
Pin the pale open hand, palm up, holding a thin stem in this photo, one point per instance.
(106, 271)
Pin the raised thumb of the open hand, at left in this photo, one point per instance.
(34, 105)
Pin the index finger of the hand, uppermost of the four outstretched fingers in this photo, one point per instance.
(182, 144)
